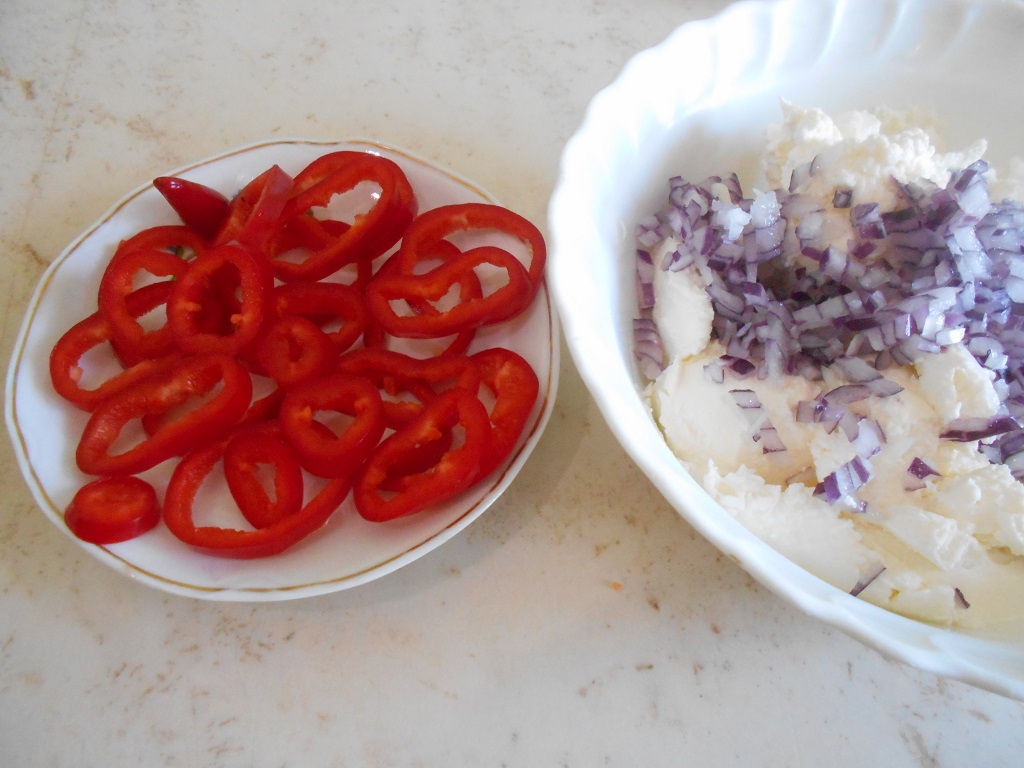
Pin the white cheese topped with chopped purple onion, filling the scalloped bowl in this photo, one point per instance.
(839, 359)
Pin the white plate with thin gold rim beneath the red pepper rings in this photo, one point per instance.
(349, 551)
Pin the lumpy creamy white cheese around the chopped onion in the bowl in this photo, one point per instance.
(925, 552)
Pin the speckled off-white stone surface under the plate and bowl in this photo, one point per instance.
(579, 623)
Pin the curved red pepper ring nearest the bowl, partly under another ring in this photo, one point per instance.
(439, 224)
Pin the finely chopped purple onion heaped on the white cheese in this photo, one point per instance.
(946, 268)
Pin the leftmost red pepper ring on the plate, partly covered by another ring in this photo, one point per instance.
(66, 358)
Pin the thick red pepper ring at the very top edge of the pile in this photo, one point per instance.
(371, 234)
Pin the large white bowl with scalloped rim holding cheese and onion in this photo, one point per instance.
(699, 104)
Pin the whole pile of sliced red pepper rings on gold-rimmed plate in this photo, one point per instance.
(250, 288)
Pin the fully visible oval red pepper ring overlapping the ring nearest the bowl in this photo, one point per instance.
(507, 302)
